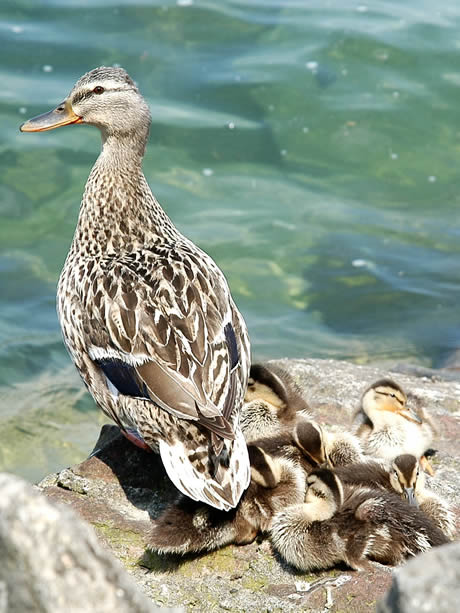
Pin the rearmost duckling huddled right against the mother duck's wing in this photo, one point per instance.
(271, 403)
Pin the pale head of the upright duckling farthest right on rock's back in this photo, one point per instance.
(385, 399)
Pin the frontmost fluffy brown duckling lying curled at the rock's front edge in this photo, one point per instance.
(338, 523)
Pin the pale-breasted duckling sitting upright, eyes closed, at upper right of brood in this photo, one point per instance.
(390, 427)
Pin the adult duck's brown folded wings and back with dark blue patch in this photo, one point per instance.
(165, 328)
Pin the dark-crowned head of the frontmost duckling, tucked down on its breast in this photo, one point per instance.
(324, 494)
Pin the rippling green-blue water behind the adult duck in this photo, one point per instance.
(312, 148)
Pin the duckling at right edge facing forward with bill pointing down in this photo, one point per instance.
(405, 477)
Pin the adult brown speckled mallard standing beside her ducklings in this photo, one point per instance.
(146, 315)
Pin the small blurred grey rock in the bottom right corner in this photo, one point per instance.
(430, 582)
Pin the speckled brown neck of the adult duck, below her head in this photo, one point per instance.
(118, 210)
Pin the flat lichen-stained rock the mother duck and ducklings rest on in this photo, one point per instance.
(120, 488)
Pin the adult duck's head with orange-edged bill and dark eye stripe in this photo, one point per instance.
(105, 97)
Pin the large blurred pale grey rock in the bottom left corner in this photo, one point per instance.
(51, 561)
